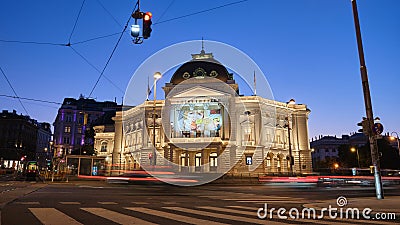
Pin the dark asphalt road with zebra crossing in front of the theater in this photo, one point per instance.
(96, 202)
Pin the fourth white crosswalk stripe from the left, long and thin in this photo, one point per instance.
(219, 215)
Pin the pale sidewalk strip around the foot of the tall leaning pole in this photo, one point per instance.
(390, 204)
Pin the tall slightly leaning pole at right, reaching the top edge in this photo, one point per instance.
(368, 106)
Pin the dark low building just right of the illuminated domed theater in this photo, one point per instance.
(325, 148)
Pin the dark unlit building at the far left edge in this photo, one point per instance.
(20, 138)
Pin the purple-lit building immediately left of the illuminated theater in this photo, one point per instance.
(73, 124)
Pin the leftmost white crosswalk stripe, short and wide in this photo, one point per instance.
(51, 216)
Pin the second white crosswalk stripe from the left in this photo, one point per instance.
(116, 217)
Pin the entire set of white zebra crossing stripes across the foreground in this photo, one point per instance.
(52, 216)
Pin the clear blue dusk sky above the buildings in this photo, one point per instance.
(306, 48)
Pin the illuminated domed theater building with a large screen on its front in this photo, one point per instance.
(205, 126)
